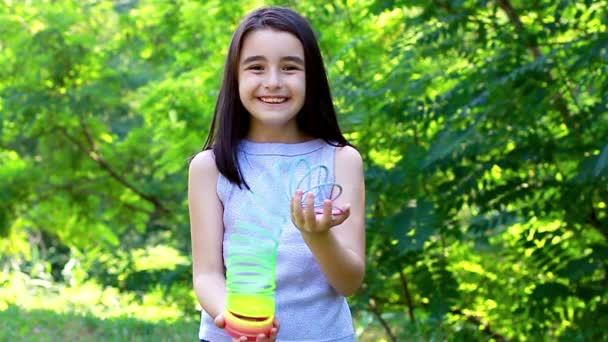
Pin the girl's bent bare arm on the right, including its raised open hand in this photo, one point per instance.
(339, 244)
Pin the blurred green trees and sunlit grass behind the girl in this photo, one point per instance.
(483, 126)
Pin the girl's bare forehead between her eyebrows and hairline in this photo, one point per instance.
(271, 44)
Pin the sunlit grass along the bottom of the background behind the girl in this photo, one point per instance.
(40, 310)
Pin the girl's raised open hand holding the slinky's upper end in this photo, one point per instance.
(308, 221)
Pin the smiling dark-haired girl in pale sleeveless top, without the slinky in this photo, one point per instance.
(274, 114)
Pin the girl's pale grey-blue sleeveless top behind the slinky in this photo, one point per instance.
(307, 306)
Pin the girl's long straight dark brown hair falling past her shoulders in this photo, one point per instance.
(230, 124)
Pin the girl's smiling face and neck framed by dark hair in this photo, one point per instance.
(272, 83)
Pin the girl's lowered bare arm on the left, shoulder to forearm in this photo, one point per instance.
(207, 230)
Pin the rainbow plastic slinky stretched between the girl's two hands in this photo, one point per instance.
(251, 258)
